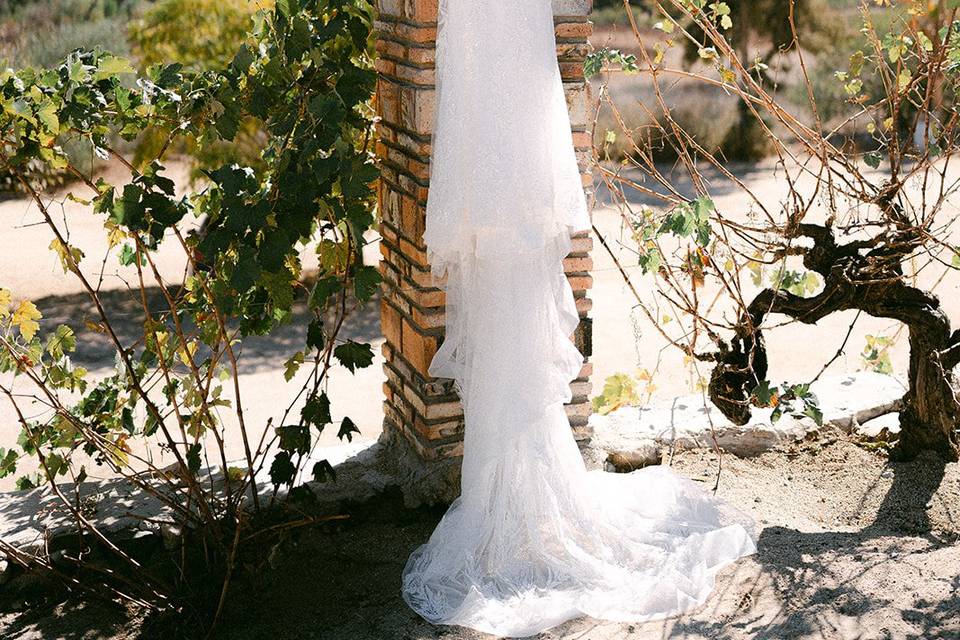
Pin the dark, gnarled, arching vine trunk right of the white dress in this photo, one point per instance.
(872, 283)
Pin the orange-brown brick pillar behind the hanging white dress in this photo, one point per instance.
(423, 421)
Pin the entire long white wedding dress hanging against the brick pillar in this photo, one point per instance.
(534, 538)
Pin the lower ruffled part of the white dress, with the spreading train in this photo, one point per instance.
(535, 539)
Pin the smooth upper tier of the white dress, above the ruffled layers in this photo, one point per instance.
(504, 179)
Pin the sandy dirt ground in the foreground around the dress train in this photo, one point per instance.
(850, 548)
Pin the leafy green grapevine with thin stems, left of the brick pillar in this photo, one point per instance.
(306, 76)
